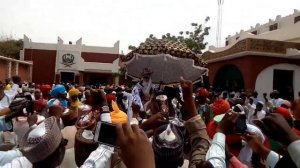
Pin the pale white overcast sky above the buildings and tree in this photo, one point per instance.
(103, 22)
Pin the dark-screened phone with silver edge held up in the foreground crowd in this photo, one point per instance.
(106, 133)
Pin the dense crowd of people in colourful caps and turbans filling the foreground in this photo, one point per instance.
(47, 126)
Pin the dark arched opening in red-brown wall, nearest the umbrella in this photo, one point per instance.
(230, 78)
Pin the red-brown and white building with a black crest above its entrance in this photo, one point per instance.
(73, 63)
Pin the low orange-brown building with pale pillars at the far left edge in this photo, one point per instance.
(10, 67)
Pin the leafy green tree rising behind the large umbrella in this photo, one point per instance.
(193, 39)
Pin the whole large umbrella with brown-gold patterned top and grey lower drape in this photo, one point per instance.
(167, 59)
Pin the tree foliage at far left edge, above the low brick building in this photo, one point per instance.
(10, 47)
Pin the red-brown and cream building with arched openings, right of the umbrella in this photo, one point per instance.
(263, 58)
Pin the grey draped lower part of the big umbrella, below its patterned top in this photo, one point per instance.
(166, 68)
